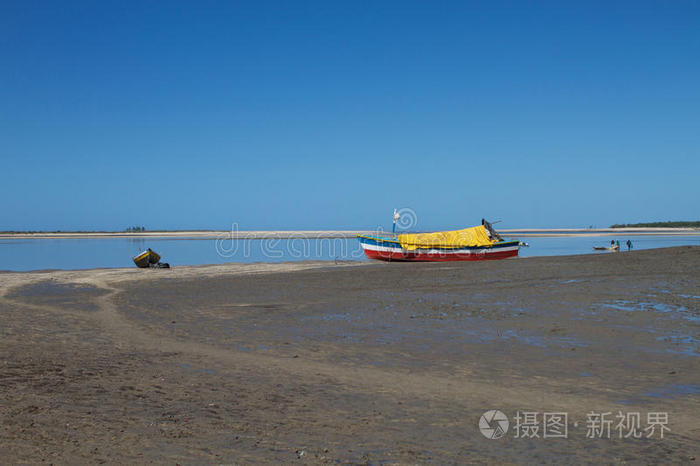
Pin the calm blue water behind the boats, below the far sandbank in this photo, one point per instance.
(37, 254)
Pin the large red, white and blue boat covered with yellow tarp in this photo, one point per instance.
(476, 243)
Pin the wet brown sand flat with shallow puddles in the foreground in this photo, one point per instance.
(350, 362)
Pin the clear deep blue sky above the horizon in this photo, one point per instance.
(329, 115)
